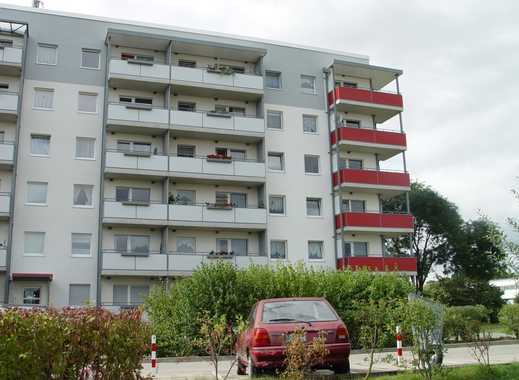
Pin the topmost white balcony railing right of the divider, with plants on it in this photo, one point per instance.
(202, 76)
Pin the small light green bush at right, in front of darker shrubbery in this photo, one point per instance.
(462, 322)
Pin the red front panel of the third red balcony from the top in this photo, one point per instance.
(371, 177)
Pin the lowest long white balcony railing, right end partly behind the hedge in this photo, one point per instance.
(173, 263)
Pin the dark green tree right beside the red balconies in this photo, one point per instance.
(436, 229)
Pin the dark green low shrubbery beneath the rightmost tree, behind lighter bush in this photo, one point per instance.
(462, 291)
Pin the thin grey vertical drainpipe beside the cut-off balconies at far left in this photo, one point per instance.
(9, 251)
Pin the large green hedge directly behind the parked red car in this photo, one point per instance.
(221, 289)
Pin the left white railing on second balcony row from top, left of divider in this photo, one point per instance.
(129, 113)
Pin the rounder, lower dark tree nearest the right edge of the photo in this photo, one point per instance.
(480, 251)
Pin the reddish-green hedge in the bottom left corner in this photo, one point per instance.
(70, 344)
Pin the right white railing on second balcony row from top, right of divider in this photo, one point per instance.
(210, 120)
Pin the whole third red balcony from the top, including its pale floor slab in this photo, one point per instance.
(387, 183)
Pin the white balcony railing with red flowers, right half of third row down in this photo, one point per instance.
(203, 165)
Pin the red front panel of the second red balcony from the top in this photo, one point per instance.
(371, 136)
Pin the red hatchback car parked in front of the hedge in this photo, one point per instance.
(262, 345)
